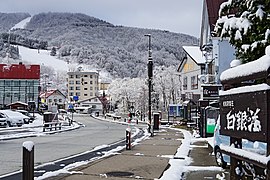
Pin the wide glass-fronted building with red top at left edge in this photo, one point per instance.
(19, 82)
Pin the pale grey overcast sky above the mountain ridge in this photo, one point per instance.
(181, 16)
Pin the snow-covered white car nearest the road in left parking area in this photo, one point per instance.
(15, 118)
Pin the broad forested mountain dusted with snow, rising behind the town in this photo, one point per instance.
(122, 51)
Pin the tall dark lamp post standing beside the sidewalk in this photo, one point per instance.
(150, 78)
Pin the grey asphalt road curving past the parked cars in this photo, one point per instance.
(49, 148)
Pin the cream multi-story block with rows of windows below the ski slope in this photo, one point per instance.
(82, 85)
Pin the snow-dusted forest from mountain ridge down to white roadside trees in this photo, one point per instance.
(118, 51)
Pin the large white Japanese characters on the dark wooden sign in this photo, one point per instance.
(244, 120)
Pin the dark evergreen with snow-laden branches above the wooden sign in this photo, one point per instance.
(247, 25)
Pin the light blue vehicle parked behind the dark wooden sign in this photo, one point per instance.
(223, 160)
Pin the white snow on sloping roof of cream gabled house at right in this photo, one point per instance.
(195, 53)
